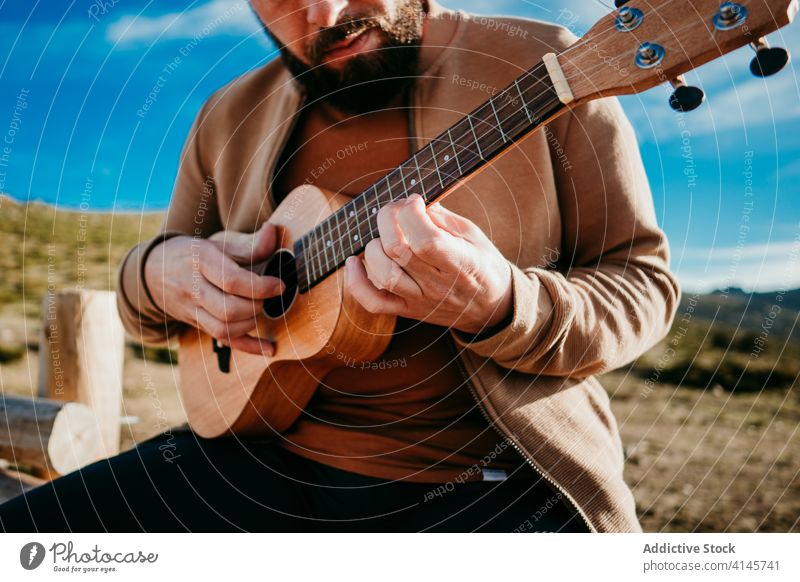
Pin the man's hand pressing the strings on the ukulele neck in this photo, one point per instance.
(432, 264)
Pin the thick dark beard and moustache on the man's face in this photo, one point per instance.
(369, 81)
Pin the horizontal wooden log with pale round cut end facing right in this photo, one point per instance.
(53, 437)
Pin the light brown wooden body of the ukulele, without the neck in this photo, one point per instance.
(322, 329)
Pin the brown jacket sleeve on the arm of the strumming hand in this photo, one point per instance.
(192, 212)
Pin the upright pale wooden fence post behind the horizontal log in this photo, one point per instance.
(81, 356)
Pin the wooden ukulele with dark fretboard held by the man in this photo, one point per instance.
(317, 326)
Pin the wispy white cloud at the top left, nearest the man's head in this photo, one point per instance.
(217, 17)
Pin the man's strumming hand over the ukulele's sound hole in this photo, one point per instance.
(200, 282)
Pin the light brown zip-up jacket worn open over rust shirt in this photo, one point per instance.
(570, 209)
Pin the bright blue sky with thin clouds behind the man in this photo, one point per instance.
(75, 79)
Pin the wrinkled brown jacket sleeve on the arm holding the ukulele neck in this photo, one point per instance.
(612, 296)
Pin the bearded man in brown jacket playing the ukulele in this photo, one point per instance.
(543, 270)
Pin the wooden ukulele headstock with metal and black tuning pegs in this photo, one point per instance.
(648, 42)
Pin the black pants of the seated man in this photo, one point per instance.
(181, 482)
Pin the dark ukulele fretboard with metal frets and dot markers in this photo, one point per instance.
(451, 156)
